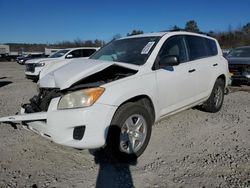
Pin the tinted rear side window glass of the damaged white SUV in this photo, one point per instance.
(200, 47)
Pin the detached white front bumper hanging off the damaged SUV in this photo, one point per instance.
(82, 128)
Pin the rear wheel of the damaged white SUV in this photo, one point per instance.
(215, 101)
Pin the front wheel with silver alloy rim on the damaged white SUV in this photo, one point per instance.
(131, 124)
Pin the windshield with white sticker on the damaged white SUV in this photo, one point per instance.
(132, 50)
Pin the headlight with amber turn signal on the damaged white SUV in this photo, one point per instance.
(80, 99)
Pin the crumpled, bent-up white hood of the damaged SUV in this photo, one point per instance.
(72, 72)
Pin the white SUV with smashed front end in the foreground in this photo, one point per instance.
(112, 99)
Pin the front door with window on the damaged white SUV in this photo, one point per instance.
(176, 84)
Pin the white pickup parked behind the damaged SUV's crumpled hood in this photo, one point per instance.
(34, 67)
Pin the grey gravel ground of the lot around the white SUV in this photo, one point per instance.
(190, 149)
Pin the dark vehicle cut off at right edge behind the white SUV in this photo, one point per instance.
(239, 65)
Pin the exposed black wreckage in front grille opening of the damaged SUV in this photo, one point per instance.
(40, 102)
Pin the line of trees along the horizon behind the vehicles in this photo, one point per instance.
(227, 39)
